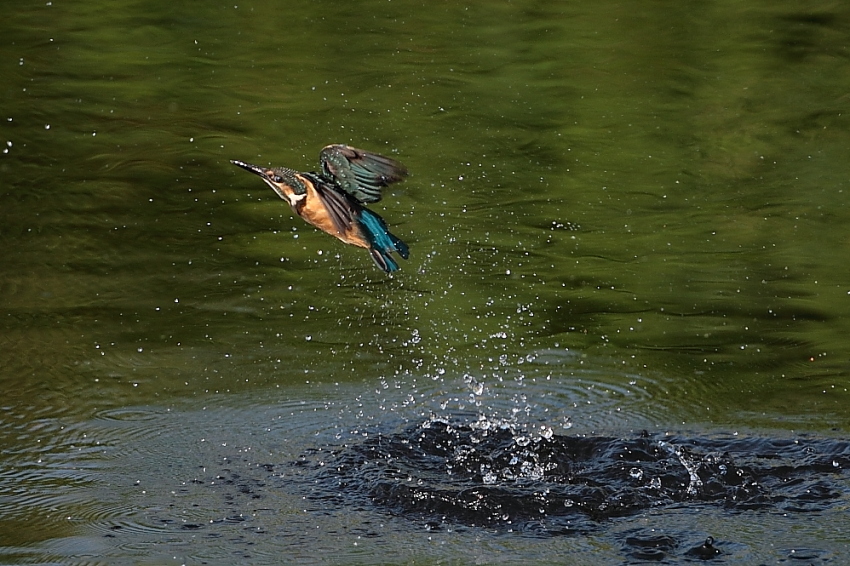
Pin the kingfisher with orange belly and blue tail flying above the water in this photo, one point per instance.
(334, 200)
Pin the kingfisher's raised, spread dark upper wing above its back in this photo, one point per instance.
(359, 173)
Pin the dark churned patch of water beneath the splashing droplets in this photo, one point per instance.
(497, 475)
